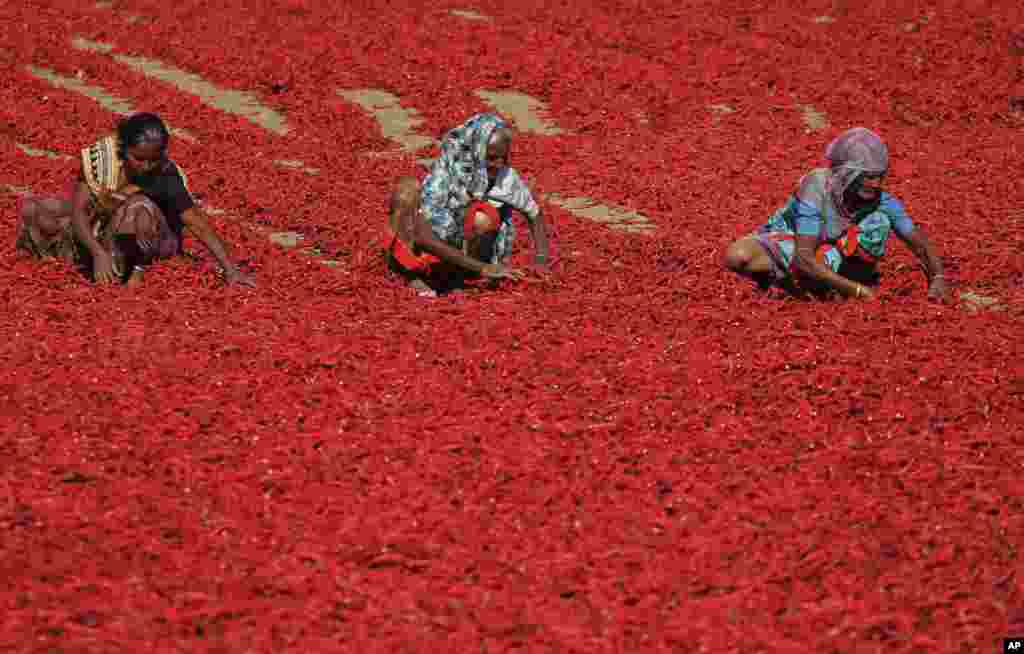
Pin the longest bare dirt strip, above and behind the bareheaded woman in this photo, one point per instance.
(233, 102)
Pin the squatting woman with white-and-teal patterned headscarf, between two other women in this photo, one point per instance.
(460, 222)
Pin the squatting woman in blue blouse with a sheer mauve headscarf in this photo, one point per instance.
(836, 228)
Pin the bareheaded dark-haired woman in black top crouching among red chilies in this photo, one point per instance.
(127, 209)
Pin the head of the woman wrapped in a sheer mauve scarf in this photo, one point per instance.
(860, 161)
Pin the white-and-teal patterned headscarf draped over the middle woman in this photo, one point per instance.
(460, 175)
